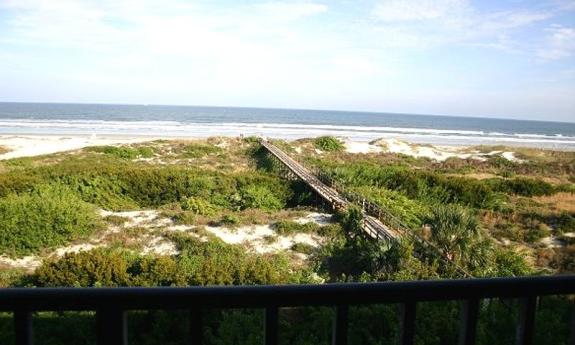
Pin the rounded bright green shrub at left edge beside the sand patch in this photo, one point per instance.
(50, 216)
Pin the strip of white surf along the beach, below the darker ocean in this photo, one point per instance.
(424, 133)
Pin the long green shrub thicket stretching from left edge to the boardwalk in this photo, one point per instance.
(124, 185)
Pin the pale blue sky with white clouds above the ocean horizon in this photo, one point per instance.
(489, 58)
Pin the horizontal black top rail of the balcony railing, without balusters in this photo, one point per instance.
(282, 295)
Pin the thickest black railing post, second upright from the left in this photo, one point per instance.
(111, 327)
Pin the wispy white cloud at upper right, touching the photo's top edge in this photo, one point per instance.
(423, 24)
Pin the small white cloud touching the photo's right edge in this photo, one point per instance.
(560, 43)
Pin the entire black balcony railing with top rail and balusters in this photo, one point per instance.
(111, 304)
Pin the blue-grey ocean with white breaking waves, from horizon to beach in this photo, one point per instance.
(198, 121)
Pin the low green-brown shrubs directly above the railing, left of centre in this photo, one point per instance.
(200, 263)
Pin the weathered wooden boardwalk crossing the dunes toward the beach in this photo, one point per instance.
(371, 225)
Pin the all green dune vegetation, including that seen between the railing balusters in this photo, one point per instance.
(50, 201)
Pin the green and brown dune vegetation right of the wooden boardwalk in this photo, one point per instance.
(506, 208)
